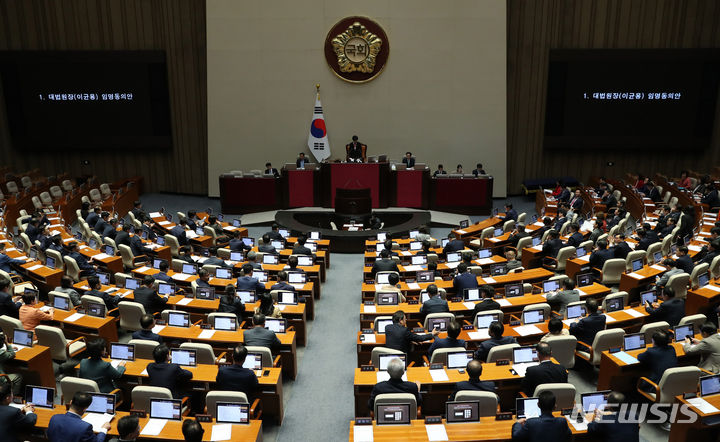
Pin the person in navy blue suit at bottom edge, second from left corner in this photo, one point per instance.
(70, 427)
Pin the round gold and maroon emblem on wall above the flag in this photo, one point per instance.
(356, 49)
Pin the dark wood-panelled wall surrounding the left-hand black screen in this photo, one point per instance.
(175, 26)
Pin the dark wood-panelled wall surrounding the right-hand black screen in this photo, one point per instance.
(536, 26)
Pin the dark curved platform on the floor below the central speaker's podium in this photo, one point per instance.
(397, 224)
